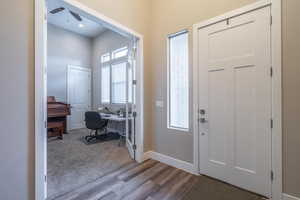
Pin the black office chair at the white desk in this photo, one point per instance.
(94, 122)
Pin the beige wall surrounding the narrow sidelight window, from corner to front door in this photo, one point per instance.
(169, 16)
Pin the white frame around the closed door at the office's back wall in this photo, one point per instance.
(89, 70)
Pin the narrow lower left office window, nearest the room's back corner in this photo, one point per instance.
(105, 84)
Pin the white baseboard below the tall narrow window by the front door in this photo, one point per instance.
(188, 167)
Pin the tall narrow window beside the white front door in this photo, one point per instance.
(178, 81)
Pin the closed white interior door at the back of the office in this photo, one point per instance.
(79, 95)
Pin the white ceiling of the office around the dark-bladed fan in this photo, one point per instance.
(66, 21)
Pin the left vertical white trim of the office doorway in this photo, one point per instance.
(40, 101)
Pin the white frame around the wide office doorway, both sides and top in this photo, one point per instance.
(40, 88)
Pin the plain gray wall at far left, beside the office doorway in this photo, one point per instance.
(17, 100)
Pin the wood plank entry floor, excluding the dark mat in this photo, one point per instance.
(150, 180)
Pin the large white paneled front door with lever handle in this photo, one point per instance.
(235, 101)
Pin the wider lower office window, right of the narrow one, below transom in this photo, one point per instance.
(118, 83)
